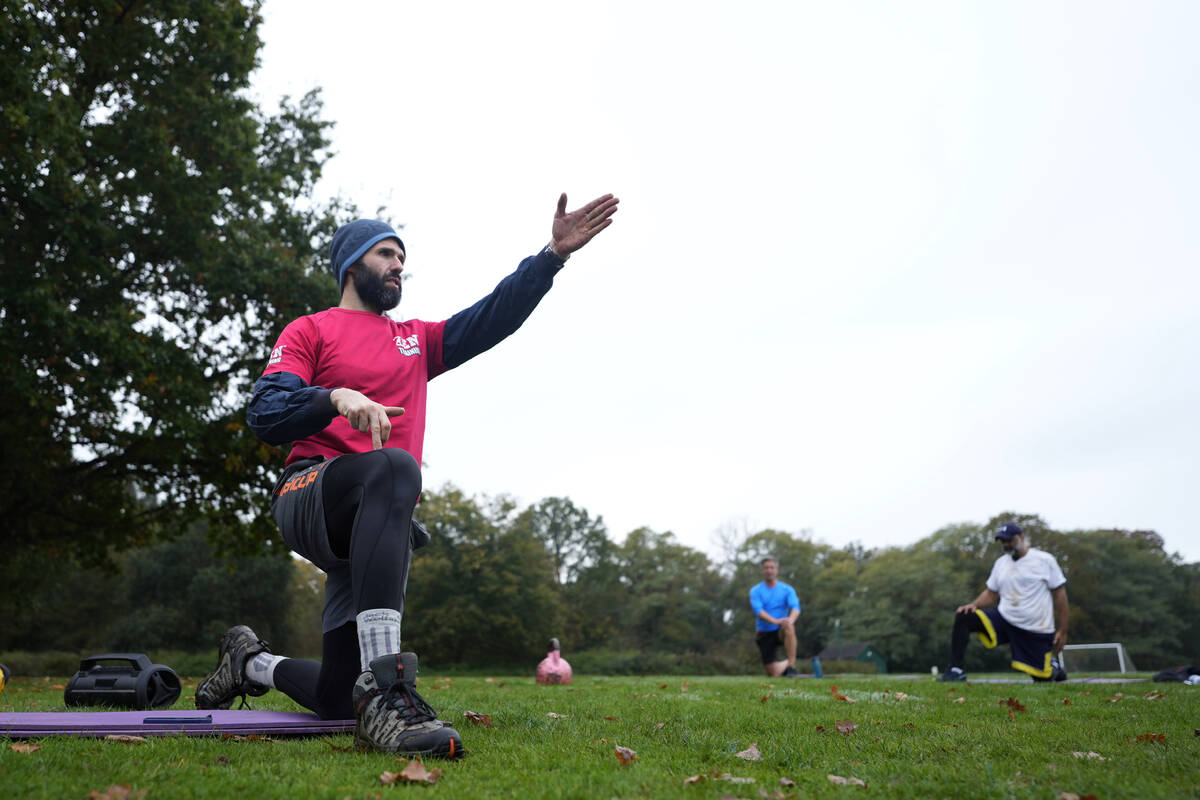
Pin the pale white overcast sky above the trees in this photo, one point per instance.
(878, 268)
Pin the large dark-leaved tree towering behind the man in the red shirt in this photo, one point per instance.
(157, 232)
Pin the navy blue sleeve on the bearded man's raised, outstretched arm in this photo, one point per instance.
(496, 317)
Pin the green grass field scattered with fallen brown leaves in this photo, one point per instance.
(904, 738)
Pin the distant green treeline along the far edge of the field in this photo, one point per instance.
(500, 580)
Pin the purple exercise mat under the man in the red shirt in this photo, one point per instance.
(28, 725)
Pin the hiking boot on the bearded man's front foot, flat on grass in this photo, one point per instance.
(393, 718)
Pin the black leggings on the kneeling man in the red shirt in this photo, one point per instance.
(369, 512)
